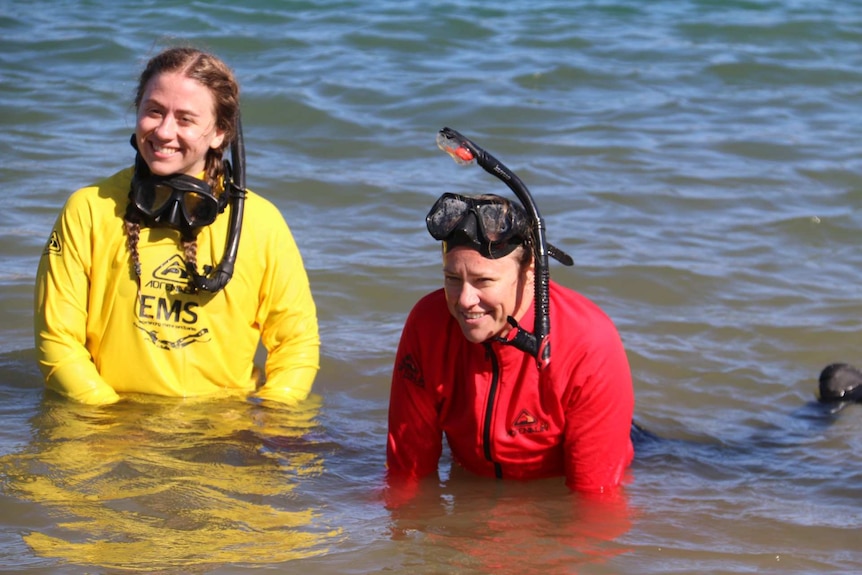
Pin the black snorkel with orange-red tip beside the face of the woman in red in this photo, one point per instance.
(464, 151)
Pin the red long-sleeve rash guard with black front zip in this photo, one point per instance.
(504, 418)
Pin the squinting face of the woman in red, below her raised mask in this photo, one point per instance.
(481, 293)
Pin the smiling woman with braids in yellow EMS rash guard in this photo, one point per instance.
(124, 302)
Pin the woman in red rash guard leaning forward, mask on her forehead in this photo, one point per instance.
(459, 373)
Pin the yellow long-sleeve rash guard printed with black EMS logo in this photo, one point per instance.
(97, 337)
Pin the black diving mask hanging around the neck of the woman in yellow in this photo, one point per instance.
(178, 201)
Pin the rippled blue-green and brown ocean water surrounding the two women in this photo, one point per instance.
(700, 160)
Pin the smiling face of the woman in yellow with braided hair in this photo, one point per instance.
(176, 125)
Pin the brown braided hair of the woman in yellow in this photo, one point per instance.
(215, 75)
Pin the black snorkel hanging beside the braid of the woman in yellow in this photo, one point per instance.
(235, 188)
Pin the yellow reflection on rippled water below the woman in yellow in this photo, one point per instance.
(151, 484)
